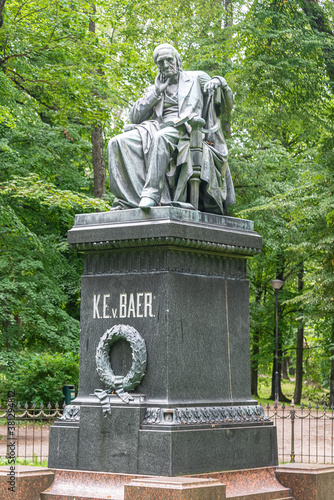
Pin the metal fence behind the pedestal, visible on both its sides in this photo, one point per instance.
(305, 434)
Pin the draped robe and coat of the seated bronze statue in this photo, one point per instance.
(135, 162)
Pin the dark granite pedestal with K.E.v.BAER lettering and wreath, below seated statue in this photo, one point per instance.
(177, 278)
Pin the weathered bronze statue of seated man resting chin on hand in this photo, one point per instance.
(174, 153)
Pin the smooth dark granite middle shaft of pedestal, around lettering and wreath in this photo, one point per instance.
(196, 352)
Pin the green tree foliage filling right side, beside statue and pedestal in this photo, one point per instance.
(281, 157)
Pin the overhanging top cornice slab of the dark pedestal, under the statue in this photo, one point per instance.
(165, 226)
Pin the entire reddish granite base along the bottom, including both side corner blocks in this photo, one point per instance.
(306, 481)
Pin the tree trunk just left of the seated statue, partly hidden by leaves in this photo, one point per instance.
(99, 166)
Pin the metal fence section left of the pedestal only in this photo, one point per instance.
(24, 431)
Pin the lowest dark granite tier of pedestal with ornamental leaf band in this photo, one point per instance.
(135, 439)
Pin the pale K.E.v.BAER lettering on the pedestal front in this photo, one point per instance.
(127, 305)
